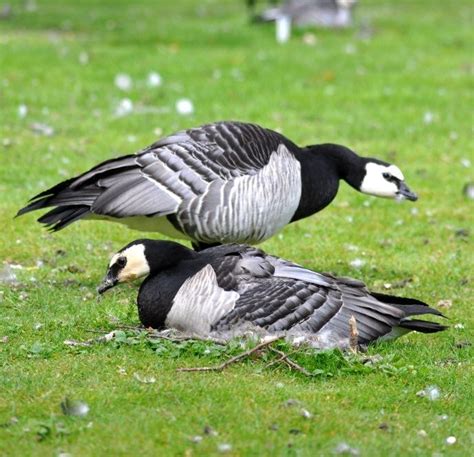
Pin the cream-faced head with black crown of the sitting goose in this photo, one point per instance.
(141, 258)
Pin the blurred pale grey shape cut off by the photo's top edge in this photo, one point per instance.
(321, 13)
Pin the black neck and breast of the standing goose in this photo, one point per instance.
(322, 166)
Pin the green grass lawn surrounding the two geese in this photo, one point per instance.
(370, 94)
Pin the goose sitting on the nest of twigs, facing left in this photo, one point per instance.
(226, 287)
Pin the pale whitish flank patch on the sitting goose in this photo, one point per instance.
(199, 303)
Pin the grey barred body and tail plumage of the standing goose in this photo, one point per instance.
(208, 178)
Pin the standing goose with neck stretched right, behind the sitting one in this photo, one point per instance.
(218, 183)
